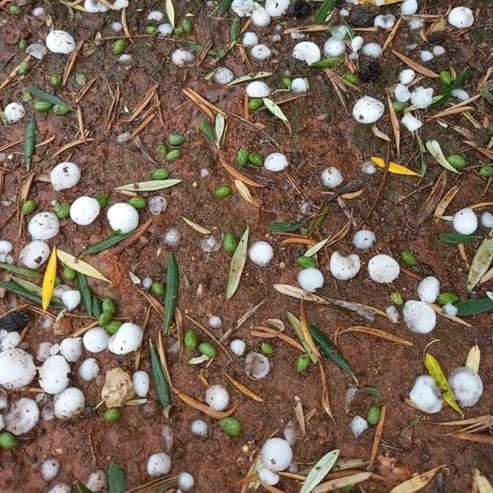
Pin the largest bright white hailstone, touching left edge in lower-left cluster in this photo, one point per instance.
(16, 369)
